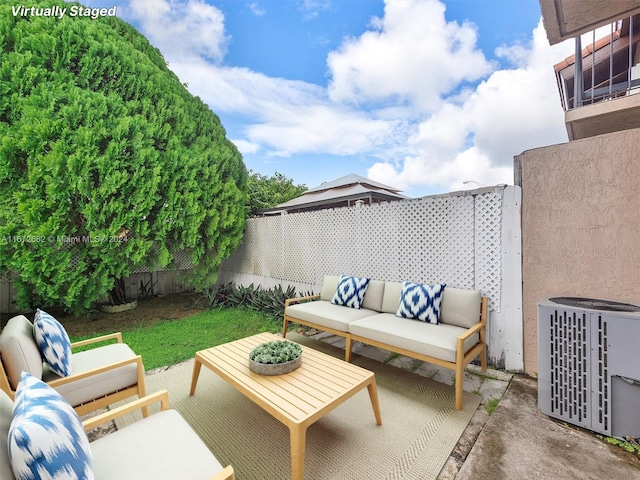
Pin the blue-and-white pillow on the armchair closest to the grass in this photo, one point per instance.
(53, 342)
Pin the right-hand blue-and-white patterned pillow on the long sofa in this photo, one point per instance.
(421, 301)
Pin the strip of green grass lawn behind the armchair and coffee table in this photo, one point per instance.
(172, 341)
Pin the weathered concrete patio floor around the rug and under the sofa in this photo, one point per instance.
(516, 440)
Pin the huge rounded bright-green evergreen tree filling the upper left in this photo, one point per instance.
(106, 161)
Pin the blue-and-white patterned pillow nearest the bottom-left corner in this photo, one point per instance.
(46, 438)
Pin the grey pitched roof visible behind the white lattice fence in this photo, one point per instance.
(342, 192)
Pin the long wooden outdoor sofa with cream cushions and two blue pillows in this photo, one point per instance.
(457, 336)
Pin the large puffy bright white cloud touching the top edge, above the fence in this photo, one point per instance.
(411, 55)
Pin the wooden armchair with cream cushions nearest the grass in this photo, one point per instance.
(99, 376)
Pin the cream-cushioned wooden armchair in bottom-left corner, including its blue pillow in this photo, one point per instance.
(160, 446)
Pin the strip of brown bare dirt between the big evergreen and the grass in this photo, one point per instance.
(150, 310)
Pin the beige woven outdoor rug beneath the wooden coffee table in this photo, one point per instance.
(420, 426)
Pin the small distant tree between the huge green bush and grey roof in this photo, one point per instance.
(267, 192)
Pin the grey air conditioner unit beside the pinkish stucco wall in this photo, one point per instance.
(589, 369)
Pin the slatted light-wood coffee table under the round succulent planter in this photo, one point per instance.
(296, 399)
